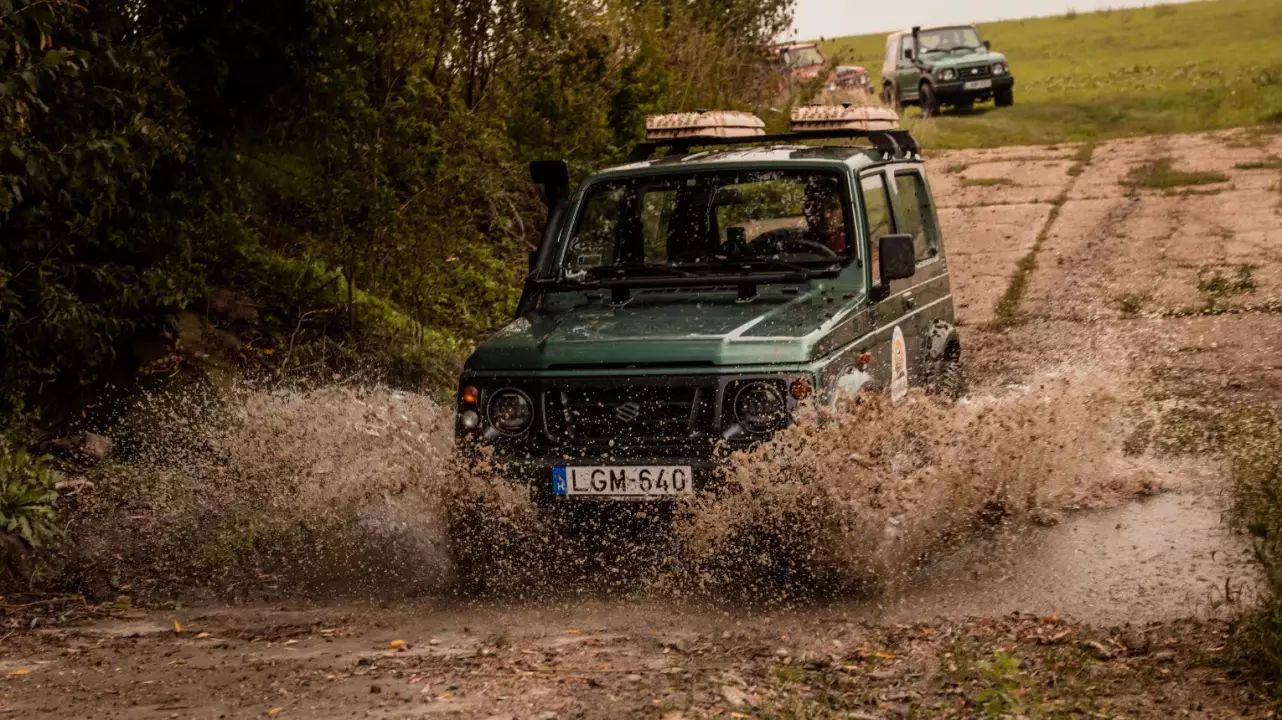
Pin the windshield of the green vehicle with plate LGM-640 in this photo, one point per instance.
(751, 220)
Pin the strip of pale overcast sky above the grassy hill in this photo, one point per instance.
(835, 19)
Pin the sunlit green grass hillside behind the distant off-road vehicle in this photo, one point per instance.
(1092, 76)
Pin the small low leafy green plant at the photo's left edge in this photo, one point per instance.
(28, 496)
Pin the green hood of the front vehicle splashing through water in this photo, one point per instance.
(665, 329)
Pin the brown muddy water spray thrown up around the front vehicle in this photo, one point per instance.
(356, 493)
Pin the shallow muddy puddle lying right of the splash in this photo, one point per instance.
(1167, 557)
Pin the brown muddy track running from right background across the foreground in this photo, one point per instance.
(1116, 610)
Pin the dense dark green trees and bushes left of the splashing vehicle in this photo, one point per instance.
(356, 171)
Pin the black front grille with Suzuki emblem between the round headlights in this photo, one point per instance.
(599, 414)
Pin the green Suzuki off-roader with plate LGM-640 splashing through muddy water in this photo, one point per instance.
(685, 304)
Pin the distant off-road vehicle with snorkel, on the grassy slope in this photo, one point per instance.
(944, 66)
